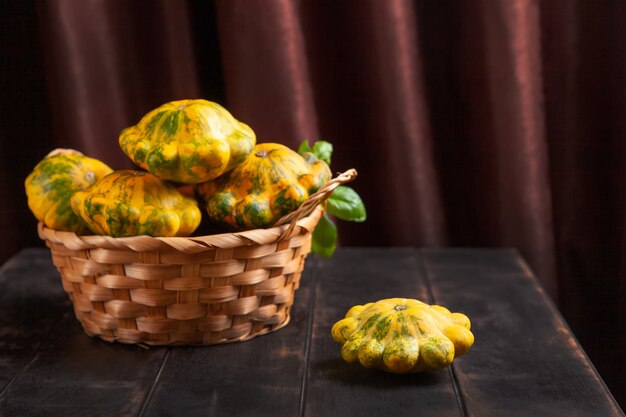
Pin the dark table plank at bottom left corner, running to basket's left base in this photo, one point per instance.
(72, 374)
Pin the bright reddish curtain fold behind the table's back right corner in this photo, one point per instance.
(523, 206)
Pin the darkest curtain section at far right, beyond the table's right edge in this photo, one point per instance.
(584, 87)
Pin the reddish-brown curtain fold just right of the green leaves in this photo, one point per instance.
(400, 126)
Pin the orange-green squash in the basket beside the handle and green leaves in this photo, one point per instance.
(270, 183)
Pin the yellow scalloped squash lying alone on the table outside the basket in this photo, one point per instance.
(402, 335)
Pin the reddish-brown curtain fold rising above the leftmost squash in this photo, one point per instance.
(84, 52)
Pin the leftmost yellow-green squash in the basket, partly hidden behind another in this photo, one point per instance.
(53, 181)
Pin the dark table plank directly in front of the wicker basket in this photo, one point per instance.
(262, 376)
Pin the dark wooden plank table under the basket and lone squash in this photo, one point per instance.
(525, 361)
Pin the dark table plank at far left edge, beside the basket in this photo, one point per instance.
(32, 301)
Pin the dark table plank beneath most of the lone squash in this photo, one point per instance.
(335, 388)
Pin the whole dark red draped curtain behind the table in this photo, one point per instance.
(482, 123)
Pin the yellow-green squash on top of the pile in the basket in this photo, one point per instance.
(188, 141)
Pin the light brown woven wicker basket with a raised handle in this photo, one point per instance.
(187, 291)
